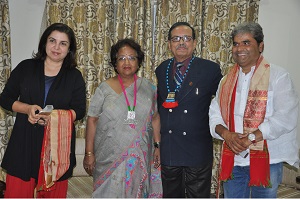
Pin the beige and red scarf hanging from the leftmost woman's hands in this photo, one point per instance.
(56, 149)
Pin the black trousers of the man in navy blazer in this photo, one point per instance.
(182, 182)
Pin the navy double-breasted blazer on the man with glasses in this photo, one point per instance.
(185, 136)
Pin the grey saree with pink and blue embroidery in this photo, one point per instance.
(124, 156)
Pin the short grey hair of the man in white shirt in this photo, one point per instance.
(249, 27)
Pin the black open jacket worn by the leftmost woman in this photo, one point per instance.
(27, 82)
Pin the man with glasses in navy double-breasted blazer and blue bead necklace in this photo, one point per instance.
(186, 85)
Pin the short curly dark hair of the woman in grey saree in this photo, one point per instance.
(120, 44)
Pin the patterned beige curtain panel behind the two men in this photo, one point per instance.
(213, 21)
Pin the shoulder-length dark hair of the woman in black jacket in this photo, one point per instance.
(70, 59)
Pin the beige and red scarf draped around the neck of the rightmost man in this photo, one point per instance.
(253, 116)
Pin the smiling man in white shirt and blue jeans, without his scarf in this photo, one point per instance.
(278, 127)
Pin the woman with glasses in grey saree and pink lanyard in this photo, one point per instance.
(122, 123)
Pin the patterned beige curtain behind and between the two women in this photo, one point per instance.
(97, 25)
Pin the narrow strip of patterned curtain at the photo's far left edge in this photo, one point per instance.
(6, 119)
